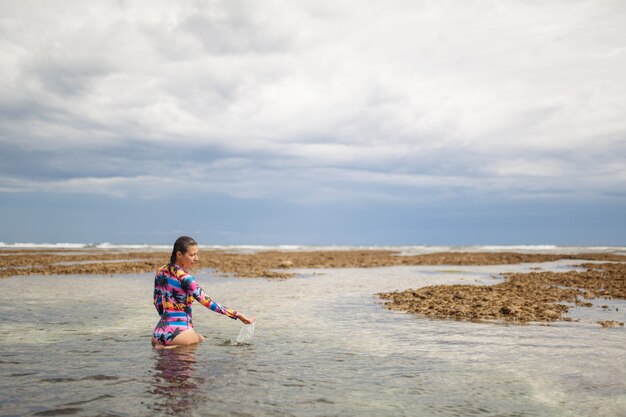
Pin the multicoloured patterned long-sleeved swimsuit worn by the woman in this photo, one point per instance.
(174, 292)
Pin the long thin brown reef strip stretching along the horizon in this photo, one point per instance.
(269, 264)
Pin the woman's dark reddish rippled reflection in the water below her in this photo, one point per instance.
(175, 386)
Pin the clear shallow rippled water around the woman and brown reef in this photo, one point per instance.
(322, 345)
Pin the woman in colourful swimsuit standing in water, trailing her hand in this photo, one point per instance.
(174, 291)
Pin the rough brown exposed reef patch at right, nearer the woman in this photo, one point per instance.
(521, 298)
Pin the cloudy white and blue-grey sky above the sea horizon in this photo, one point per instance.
(308, 122)
